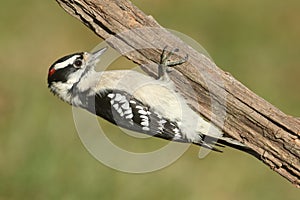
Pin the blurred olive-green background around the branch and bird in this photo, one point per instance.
(41, 156)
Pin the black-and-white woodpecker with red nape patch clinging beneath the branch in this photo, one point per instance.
(134, 101)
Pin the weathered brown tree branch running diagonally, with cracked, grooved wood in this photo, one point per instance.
(248, 118)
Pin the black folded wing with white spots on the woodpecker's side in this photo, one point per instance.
(122, 109)
